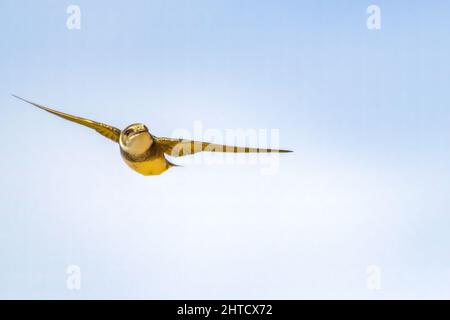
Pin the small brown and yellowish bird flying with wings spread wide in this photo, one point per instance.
(144, 152)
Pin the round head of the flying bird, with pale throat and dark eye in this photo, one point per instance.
(135, 139)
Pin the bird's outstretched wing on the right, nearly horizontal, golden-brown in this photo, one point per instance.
(181, 147)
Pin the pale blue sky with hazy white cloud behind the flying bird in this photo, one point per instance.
(360, 209)
